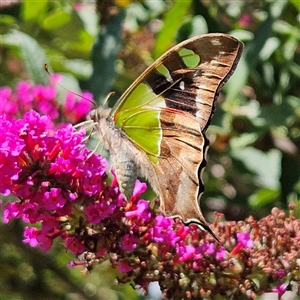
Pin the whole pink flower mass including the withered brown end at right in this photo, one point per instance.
(63, 191)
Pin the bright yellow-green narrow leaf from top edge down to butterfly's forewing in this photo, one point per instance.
(172, 22)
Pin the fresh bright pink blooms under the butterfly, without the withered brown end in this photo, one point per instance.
(61, 185)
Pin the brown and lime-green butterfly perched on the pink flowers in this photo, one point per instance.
(158, 125)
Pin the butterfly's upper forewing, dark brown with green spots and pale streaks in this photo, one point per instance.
(187, 78)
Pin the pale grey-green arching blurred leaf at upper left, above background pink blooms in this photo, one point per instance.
(32, 55)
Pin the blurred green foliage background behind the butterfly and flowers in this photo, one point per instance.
(254, 158)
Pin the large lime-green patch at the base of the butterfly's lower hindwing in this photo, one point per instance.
(142, 126)
